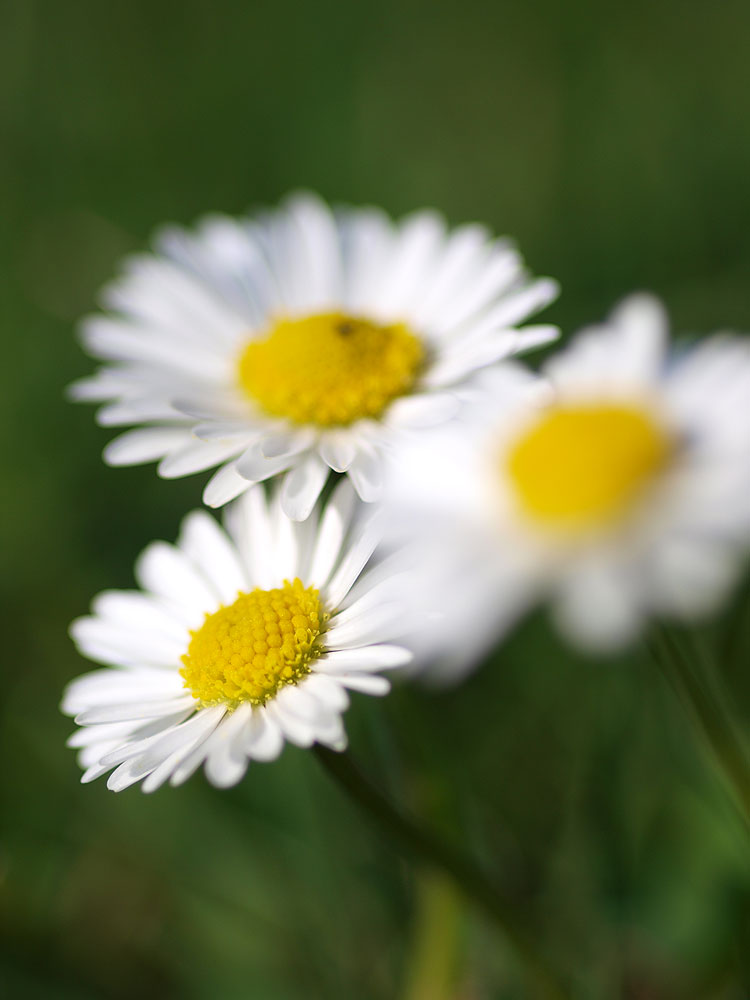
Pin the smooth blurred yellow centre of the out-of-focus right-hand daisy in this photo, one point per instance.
(580, 466)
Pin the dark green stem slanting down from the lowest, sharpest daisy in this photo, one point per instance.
(420, 843)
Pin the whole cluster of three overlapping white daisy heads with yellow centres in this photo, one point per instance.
(397, 489)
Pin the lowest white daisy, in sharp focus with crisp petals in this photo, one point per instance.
(238, 641)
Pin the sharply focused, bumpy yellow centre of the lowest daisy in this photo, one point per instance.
(249, 650)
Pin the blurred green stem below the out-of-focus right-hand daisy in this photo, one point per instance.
(699, 691)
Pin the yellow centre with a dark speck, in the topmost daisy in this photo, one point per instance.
(330, 369)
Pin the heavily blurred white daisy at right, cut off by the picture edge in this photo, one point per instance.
(617, 488)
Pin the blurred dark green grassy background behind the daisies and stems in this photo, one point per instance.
(613, 141)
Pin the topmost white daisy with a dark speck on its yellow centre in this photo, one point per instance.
(301, 340)
